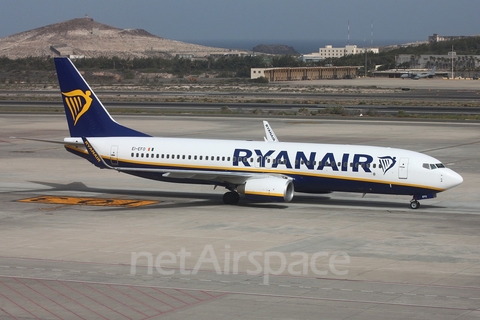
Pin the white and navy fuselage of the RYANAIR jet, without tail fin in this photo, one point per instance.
(314, 168)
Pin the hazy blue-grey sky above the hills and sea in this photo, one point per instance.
(257, 19)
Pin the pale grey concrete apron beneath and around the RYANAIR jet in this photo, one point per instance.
(80, 243)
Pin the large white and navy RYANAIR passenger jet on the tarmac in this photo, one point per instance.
(265, 171)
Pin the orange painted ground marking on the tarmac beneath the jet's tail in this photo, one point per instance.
(103, 202)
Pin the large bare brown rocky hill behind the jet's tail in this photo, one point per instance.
(86, 37)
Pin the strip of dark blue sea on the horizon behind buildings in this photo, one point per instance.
(302, 46)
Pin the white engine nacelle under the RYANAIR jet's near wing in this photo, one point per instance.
(267, 189)
